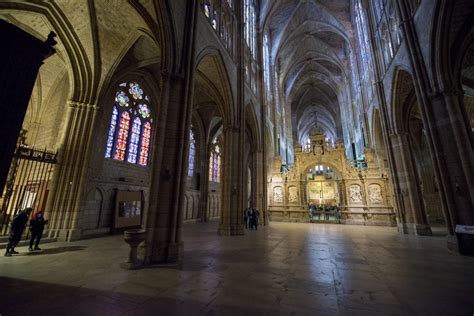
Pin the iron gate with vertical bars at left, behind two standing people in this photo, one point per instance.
(27, 183)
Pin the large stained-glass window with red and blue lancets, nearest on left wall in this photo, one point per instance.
(130, 128)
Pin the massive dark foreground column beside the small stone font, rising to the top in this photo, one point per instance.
(163, 243)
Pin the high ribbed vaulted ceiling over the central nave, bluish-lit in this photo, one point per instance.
(310, 45)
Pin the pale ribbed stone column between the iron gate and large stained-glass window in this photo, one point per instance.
(70, 174)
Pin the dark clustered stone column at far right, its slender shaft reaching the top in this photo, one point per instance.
(450, 138)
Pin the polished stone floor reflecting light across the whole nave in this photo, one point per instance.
(283, 269)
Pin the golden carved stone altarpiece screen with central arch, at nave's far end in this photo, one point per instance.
(322, 175)
